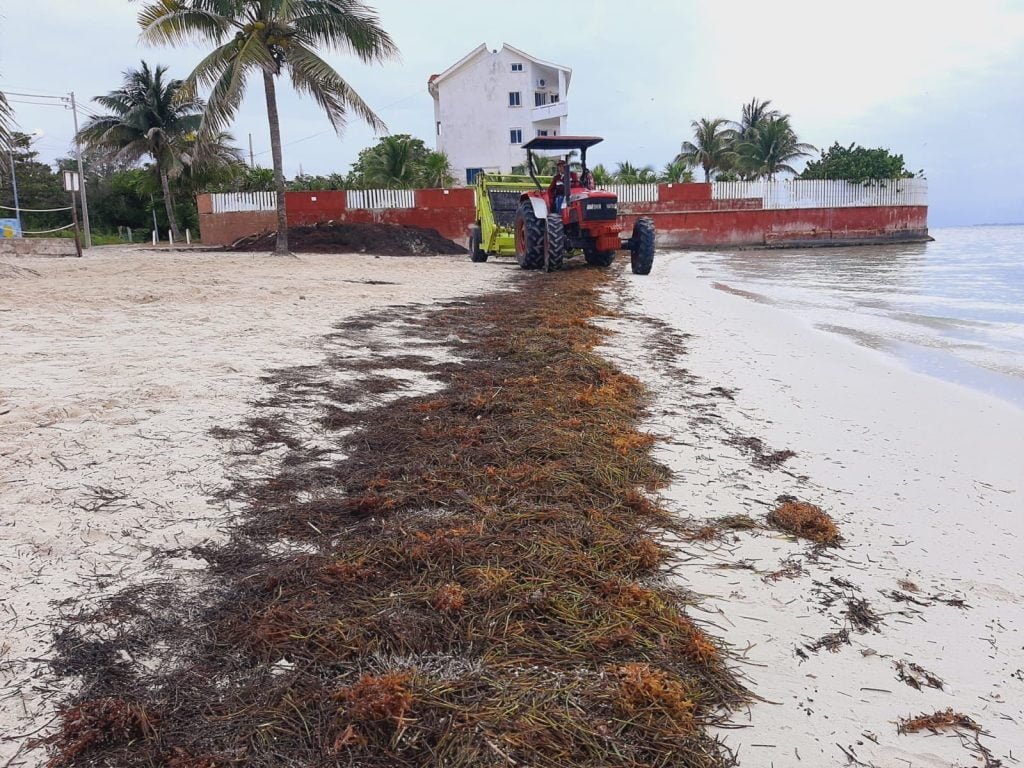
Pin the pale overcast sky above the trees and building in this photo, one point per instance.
(941, 83)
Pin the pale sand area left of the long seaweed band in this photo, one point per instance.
(113, 370)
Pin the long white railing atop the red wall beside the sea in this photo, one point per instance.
(810, 194)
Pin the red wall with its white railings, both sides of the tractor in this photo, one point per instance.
(790, 214)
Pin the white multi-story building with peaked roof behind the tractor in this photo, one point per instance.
(490, 103)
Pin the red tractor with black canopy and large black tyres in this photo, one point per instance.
(572, 217)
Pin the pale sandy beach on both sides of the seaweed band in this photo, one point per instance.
(116, 367)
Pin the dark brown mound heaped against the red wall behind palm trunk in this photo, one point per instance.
(386, 240)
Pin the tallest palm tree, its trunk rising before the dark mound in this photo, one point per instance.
(272, 37)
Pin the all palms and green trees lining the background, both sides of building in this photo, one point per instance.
(160, 141)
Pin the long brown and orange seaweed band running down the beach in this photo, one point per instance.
(477, 582)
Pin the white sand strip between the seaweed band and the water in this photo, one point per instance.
(926, 481)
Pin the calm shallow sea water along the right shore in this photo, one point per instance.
(952, 309)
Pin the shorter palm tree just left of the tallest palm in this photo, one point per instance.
(147, 117)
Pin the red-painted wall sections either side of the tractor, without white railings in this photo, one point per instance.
(685, 216)
